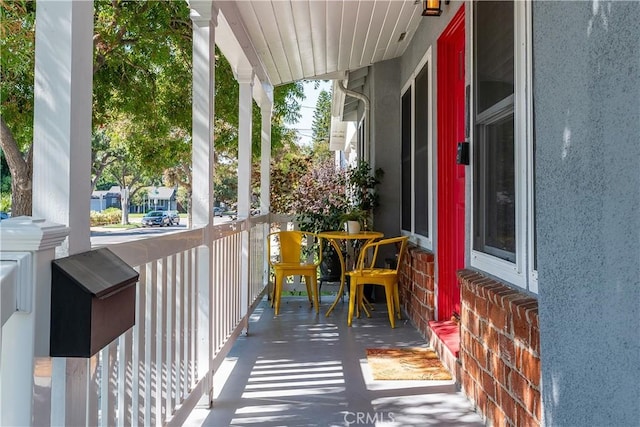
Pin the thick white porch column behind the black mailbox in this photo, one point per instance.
(62, 168)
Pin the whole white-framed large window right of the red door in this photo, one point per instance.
(502, 143)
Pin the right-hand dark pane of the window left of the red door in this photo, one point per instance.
(422, 154)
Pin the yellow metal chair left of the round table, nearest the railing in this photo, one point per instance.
(294, 253)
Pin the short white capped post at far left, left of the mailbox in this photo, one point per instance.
(26, 333)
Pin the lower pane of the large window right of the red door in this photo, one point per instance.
(495, 224)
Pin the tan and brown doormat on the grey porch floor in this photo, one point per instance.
(406, 364)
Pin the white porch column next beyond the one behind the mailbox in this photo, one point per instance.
(204, 23)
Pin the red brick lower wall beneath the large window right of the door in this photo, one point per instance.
(500, 351)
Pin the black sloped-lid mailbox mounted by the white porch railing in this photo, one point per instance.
(93, 301)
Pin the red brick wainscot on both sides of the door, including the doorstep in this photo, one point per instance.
(494, 350)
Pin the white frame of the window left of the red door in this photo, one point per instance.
(425, 242)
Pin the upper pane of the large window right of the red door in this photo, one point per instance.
(494, 52)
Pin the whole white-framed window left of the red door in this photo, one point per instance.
(417, 205)
